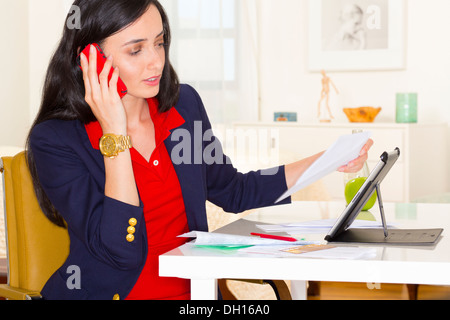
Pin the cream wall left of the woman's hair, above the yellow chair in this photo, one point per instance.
(30, 30)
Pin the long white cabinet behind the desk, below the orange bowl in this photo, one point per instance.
(421, 170)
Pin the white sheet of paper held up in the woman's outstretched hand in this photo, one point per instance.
(344, 150)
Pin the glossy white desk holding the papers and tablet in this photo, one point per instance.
(392, 264)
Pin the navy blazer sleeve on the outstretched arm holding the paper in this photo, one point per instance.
(236, 192)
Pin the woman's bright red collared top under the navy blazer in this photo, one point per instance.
(164, 209)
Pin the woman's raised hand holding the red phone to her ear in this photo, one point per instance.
(102, 96)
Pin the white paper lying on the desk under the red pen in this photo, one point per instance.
(223, 240)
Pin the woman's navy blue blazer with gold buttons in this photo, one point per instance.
(72, 174)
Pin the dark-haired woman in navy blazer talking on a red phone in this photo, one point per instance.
(123, 212)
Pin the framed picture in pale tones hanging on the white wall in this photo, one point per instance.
(357, 35)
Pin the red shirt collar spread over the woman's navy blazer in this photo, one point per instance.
(163, 122)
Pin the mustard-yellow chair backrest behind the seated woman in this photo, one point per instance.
(36, 248)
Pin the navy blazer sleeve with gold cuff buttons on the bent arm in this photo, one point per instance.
(99, 222)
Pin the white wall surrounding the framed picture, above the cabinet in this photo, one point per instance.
(288, 86)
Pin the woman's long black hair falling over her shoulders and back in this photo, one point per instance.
(63, 93)
